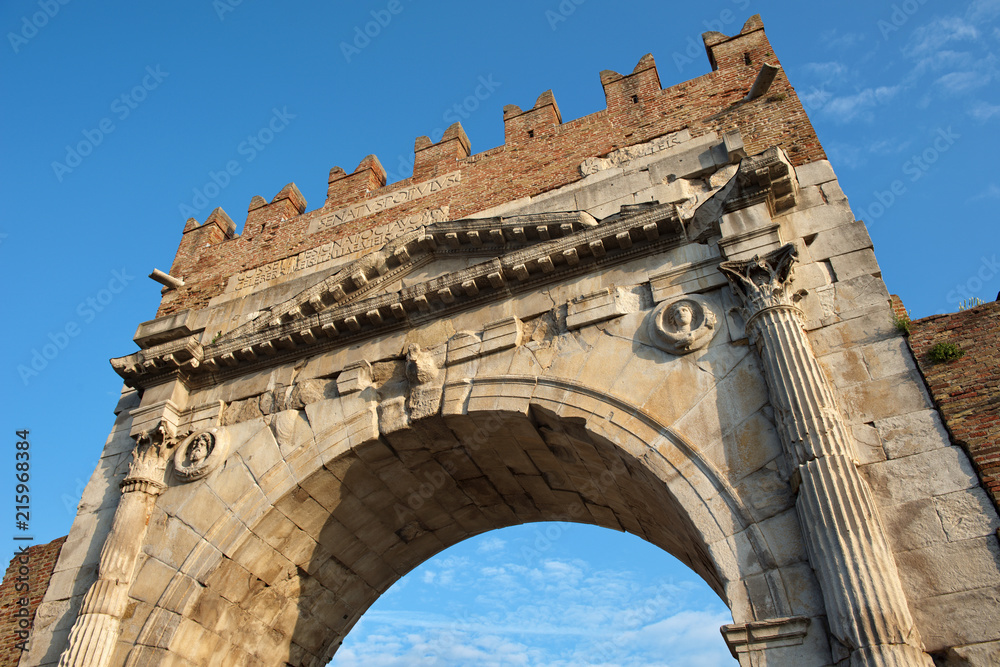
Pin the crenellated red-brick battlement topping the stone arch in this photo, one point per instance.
(540, 153)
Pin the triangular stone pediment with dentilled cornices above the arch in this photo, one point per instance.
(524, 253)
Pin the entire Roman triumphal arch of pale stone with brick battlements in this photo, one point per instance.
(671, 325)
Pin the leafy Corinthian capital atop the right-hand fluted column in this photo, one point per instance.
(761, 283)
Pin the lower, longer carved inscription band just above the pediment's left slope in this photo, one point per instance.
(376, 237)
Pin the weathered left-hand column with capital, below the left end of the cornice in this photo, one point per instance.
(94, 634)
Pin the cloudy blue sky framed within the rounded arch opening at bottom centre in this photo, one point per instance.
(544, 593)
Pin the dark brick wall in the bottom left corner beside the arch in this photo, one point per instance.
(41, 559)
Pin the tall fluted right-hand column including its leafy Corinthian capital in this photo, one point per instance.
(866, 608)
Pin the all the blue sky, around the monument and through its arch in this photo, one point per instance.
(121, 120)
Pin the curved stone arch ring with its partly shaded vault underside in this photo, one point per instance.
(360, 507)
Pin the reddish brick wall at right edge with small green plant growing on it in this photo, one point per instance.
(967, 390)
